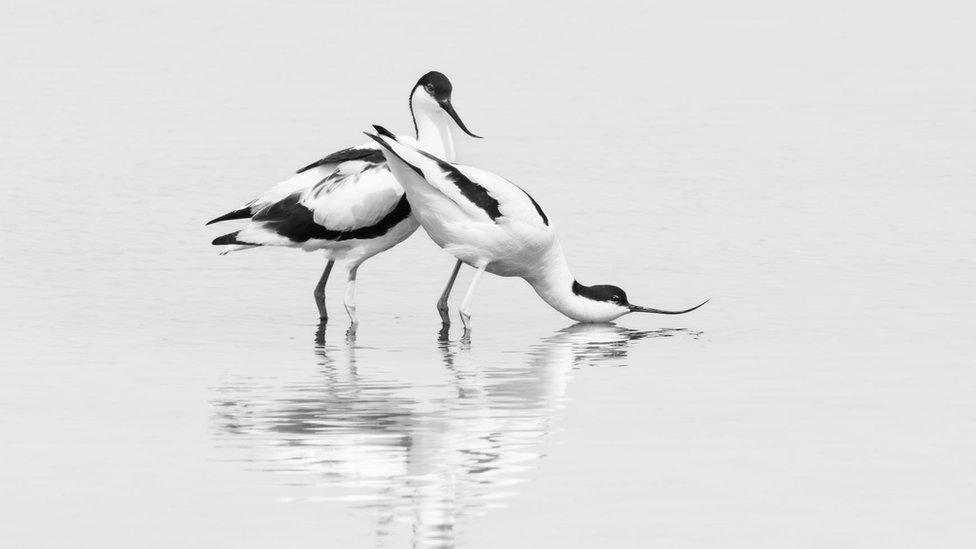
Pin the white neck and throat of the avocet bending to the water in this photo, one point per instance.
(554, 285)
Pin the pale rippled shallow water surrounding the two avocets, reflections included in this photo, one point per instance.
(811, 171)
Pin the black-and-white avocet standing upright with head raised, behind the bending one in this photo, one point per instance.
(348, 203)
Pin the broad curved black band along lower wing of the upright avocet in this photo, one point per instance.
(292, 220)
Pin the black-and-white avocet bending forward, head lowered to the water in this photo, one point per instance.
(493, 225)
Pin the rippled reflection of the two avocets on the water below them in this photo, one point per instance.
(415, 453)
